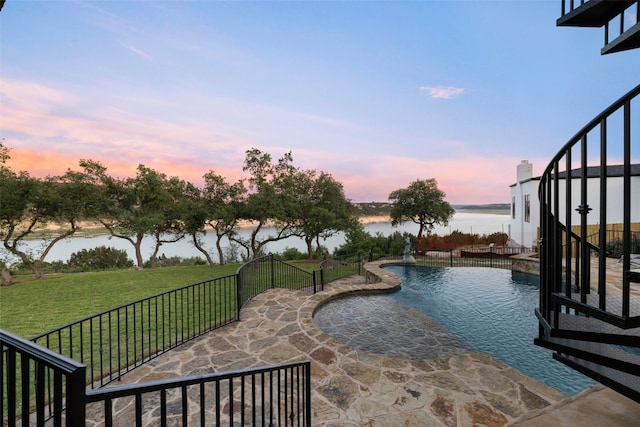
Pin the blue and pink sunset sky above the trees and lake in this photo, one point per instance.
(376, 93)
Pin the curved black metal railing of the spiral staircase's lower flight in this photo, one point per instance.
(579, 179)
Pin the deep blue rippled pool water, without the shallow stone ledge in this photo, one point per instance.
(490, 311)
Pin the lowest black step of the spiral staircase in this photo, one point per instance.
(624, 383)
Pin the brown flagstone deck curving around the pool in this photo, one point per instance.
(352, 387)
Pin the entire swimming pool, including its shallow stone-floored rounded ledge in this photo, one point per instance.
(487, 310)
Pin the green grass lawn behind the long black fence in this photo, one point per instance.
(30, 307)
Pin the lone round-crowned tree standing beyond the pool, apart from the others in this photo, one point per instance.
(423, 203)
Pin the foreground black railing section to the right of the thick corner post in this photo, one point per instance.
(269, 396)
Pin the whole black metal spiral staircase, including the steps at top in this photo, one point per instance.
(589, 312)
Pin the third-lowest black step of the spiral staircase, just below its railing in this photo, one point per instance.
(585, 328)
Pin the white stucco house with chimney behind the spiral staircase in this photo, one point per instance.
(525, 205)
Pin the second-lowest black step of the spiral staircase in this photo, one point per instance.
(598, 353)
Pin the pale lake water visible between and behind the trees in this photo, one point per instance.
(466, 222)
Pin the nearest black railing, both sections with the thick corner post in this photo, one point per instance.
(272, 395)
